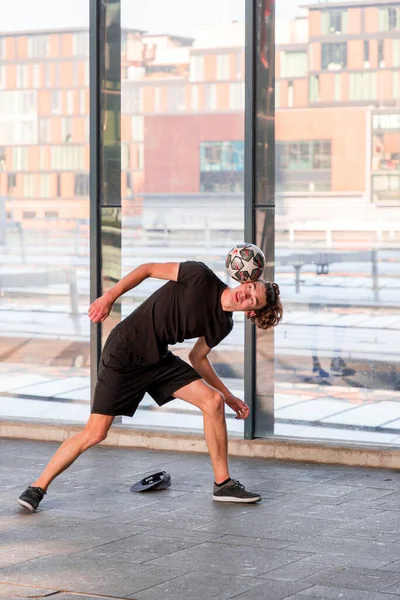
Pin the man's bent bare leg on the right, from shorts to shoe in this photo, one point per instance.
(212, 405)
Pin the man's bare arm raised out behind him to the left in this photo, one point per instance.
(100, 308)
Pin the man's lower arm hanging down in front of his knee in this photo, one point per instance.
(198, 356)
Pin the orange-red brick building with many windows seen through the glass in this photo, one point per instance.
(182, 103)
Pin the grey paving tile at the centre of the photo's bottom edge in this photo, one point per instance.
(198, 586)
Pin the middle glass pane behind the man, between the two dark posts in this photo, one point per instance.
(182, 177)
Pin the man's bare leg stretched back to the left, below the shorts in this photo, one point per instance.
(94, 432)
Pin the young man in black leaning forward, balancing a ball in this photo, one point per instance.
(194, 303)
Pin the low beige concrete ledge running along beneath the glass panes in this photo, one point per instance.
(378, 456)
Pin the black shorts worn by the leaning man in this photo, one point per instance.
(124, 378)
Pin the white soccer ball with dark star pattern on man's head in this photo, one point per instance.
(245, 262)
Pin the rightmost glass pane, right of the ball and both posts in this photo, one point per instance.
(338, 228)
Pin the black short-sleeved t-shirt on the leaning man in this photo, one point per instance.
(185, 309)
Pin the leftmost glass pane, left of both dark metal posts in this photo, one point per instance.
(44, 216)
